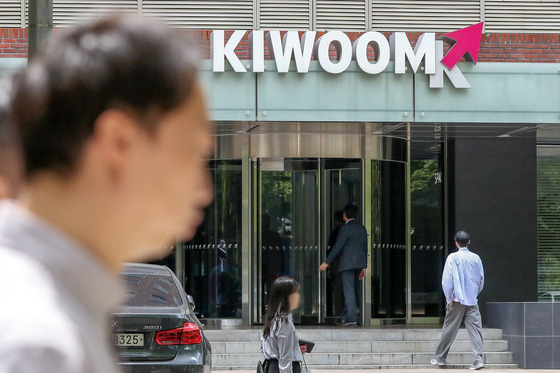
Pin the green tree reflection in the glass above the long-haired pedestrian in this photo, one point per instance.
(277, 198)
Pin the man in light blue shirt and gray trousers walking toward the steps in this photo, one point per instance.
(462, 281)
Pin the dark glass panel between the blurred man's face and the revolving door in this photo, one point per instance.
(212, 259)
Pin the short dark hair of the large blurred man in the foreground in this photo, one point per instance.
(126, 62)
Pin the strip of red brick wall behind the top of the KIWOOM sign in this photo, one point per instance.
(493, 48)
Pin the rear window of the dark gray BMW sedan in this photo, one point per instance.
(151, 290)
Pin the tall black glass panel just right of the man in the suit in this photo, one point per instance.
(388, 239)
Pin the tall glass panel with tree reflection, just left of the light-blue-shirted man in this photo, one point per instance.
(428, 253)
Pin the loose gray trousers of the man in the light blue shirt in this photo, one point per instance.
(456, 314)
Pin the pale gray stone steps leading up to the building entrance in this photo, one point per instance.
(360, 348)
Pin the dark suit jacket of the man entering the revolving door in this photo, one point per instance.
(351, 247)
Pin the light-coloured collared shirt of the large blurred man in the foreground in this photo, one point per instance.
(56, 298)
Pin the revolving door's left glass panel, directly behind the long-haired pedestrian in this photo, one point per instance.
(289, 231)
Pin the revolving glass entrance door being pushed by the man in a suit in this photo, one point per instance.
(295, 201)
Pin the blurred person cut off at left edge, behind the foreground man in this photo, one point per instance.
(10, 160)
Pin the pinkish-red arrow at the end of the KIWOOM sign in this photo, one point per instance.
(466, 42)
